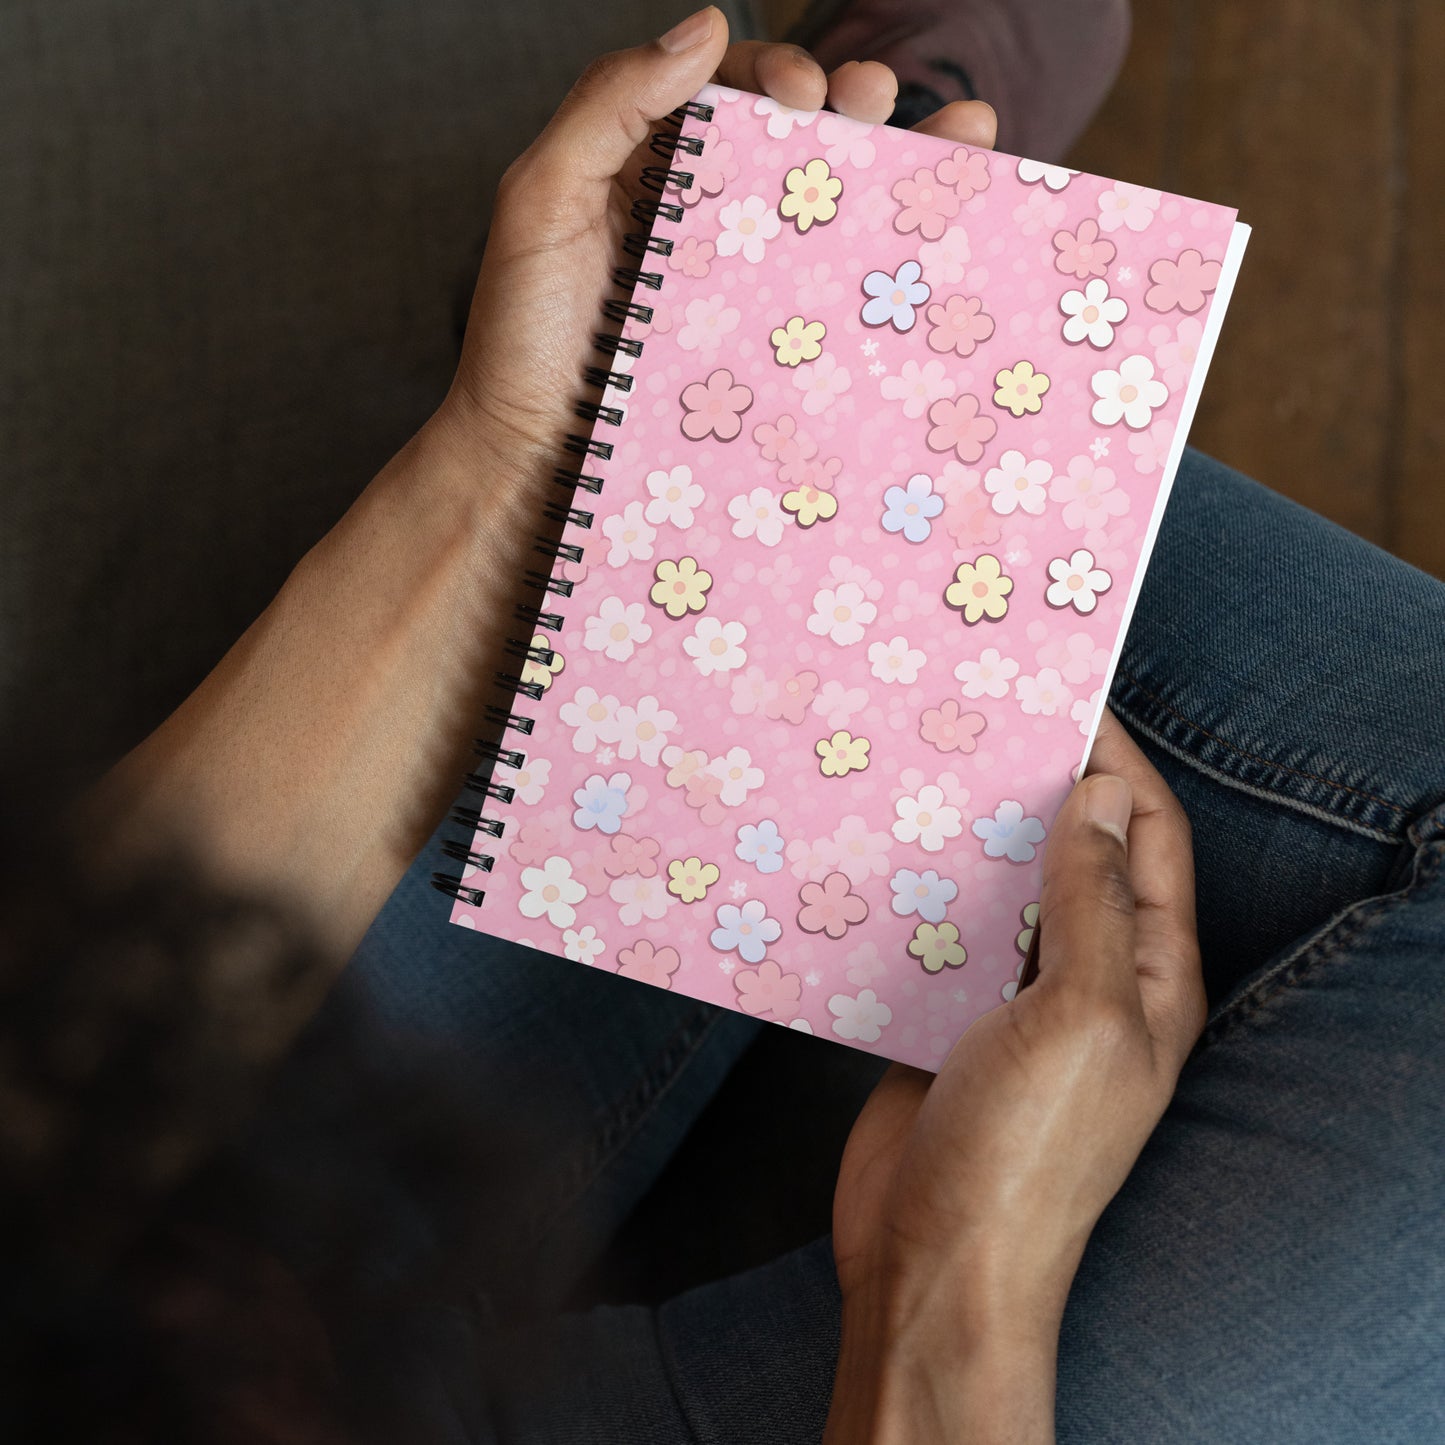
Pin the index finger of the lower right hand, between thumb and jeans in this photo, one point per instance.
(1161, 869)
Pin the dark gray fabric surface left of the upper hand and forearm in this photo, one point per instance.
(236, 241)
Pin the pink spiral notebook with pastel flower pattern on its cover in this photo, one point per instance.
(881, 449)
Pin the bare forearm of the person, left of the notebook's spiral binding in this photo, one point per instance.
(320, 754)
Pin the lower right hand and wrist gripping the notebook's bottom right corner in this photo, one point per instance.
(965, 1202)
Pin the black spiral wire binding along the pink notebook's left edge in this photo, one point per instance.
(532, 650)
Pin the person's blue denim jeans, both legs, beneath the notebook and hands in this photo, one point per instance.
(1272, 1271)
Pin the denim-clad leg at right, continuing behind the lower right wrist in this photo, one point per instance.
(1275, 1265)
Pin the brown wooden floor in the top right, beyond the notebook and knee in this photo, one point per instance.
(1324, 122)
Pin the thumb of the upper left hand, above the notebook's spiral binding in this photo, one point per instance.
(612, 109)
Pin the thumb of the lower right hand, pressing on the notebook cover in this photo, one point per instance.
(1087, 905)
